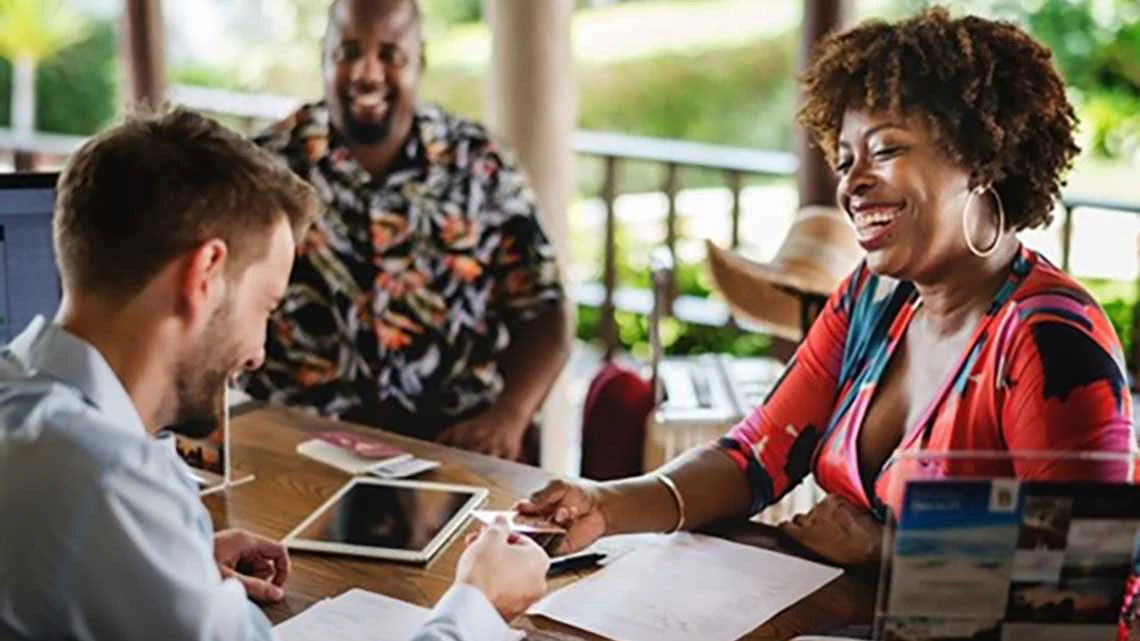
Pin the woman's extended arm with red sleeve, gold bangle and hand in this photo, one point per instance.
(756, 464)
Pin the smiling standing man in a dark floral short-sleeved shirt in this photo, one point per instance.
(427, 301)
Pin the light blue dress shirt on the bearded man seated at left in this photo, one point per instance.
(102, 532)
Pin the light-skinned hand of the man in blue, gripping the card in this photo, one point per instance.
(508, 569)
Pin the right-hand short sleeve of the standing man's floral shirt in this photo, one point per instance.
(525, 267)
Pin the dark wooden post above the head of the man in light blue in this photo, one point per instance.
(143, 51)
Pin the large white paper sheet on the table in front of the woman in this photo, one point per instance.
(691, 588)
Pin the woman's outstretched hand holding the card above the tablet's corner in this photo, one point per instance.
(576, 507)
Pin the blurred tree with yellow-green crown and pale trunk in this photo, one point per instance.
(32, 33)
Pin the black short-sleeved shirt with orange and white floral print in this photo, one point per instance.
(408, 288)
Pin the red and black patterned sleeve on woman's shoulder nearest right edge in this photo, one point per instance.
(1065, 390)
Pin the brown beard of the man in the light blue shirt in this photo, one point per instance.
(200, 383)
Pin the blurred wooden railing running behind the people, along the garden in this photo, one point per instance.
(250, 112)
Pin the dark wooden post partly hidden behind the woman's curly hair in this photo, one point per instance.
(815, 180)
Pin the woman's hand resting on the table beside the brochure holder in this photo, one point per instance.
(840, 532)
